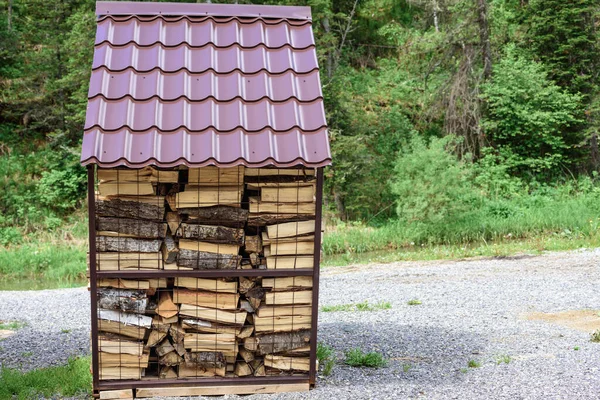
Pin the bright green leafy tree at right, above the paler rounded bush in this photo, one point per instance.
(527, 115)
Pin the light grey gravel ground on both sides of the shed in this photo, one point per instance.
(471, 310)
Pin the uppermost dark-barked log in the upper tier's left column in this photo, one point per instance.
(150, 207)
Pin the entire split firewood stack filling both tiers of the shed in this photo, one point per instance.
(199, 219)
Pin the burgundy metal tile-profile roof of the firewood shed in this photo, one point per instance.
(204, 84)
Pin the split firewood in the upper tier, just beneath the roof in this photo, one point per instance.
(205, 218)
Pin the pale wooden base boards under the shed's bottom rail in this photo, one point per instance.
(215, 390)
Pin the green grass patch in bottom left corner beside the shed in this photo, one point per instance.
(63, 381)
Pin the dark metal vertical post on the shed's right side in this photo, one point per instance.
(316, 267)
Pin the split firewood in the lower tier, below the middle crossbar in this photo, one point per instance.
(198, 327)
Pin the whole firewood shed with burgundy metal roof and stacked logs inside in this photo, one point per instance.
(205, 141)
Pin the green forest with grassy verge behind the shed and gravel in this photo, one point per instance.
(458, 128)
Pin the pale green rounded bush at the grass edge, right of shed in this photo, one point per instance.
(431, 185)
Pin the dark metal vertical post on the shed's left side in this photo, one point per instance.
(93, 281)
